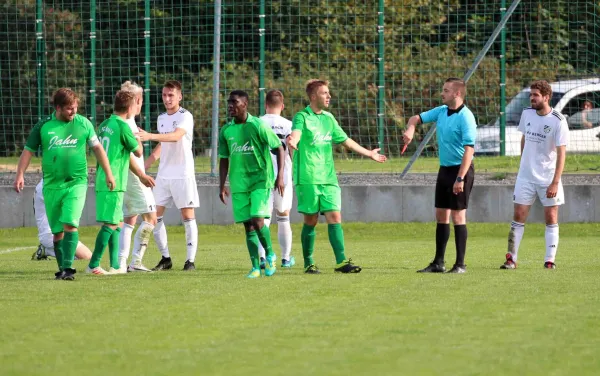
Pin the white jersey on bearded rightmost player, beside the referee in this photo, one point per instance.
(542, 135)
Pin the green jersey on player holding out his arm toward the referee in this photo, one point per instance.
(313, 161)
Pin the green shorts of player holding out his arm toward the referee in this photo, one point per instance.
(318, 198)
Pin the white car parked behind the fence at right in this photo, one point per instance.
(568, 97)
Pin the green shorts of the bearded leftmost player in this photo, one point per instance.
(64, 206)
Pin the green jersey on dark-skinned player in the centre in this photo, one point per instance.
(248, 147)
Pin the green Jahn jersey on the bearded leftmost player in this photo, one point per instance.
(64, 159)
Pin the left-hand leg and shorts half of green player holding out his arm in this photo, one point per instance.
(308, 204)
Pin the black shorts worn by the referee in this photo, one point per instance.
(444, 196)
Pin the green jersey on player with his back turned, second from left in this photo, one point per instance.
(118, 142)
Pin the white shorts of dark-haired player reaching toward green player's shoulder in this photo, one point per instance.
(181, 192)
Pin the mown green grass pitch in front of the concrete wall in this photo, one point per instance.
(387, 320)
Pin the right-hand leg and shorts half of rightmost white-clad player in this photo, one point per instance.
(551, 206)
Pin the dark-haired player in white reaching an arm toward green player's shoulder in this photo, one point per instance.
(176, 179)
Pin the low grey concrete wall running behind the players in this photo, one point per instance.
(360, 204)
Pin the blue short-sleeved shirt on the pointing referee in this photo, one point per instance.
(455, 130)
